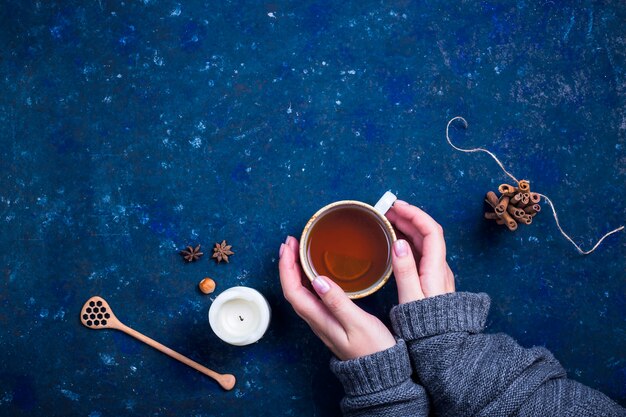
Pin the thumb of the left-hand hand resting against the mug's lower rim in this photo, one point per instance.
(338, 303)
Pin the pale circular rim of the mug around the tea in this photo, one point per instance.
(308, 270)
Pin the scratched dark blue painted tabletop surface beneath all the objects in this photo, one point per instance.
(130, 130)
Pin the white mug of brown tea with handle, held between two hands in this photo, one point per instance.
(350, 242)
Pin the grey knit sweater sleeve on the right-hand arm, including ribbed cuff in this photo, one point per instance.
(467, 373)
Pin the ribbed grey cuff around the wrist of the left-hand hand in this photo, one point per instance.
(375, 372)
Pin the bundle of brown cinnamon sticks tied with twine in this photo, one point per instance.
(514, 206)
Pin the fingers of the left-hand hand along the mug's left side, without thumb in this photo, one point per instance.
(304, 303)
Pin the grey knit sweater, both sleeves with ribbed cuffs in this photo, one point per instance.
(459, 371)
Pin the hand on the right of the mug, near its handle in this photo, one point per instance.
(432, 275)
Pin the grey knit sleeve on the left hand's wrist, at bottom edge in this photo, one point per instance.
(380, 385)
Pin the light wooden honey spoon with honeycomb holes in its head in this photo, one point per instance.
(96, 314)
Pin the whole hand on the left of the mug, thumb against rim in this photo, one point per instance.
(348, 331)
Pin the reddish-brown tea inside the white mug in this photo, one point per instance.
(350, 246)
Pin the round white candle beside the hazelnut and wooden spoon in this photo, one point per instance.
(239, 316)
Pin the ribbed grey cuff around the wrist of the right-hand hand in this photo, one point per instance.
(453, 312)
